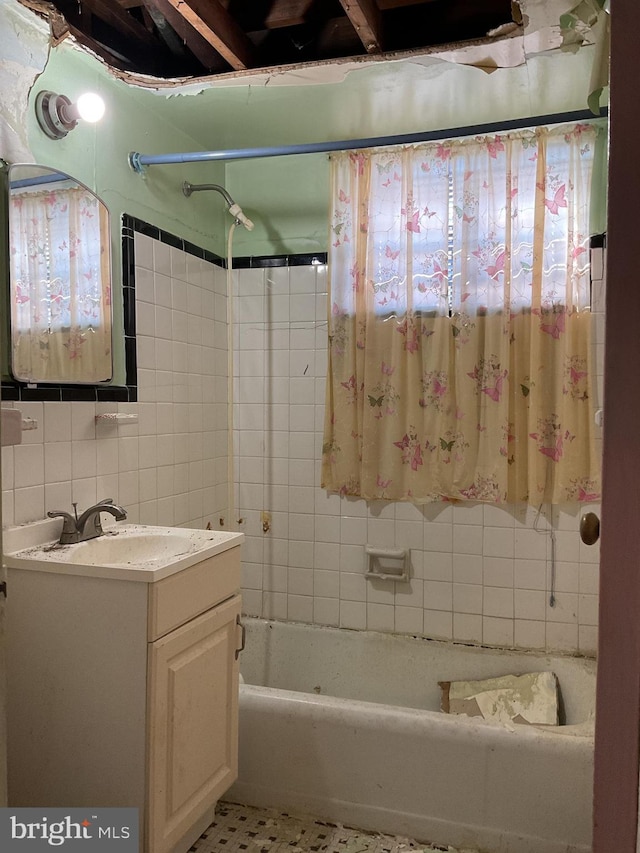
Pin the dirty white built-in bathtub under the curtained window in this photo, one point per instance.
(345, 725)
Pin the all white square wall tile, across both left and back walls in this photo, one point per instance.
(481, 574)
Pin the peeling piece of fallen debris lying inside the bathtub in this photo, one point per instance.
(530, 699)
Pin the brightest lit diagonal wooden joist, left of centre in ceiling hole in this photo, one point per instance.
(212, 21)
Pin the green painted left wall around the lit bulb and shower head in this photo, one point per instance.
(98, 154)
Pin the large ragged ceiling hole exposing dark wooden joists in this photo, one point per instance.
(194, 38)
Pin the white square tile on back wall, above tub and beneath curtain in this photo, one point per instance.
(481, 573)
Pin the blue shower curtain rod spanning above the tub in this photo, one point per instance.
(138, 161)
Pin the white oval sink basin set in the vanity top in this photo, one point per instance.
(132, 549)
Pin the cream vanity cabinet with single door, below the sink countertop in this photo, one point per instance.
(123, 691)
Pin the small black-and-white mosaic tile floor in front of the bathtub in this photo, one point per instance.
(237, 829)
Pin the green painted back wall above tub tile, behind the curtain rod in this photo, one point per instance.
(287, 197)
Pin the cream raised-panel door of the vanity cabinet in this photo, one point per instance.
(193, 725)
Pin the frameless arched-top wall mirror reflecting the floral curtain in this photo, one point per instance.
(60, 279)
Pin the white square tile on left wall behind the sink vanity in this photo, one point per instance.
(171, 467)
